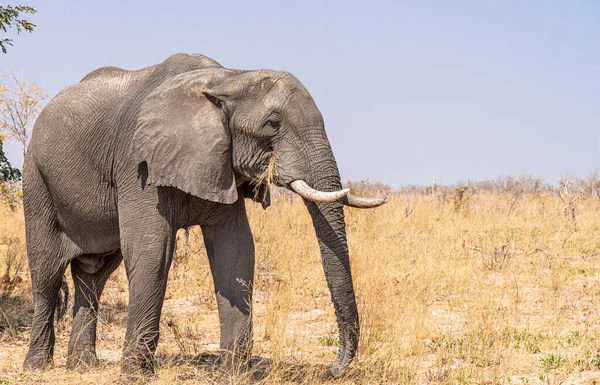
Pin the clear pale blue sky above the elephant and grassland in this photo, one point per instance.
(462, 89)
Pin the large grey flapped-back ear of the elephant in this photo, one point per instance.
(182, 136)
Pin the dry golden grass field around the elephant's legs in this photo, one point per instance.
(479, 293)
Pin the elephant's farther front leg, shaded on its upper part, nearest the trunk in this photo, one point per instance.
(230, 250)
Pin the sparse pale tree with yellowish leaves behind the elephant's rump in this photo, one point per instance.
(20, 103)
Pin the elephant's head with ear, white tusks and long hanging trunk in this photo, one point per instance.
(207, 131)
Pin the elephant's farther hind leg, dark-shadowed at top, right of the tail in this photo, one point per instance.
(88, 289)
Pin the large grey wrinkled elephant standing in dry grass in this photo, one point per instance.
(123, 159)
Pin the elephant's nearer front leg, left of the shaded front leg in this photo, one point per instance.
(147, 248)
